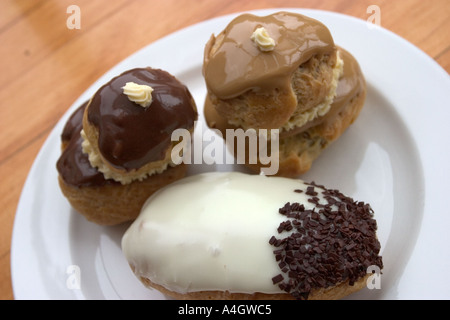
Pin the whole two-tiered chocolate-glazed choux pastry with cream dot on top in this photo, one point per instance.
(116, 147)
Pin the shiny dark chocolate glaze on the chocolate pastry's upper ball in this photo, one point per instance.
(131, 136)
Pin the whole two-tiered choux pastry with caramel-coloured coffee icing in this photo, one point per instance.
(292, 88)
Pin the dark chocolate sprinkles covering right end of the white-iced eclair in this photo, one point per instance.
(330, 244)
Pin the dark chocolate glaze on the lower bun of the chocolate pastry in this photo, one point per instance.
(73, 165)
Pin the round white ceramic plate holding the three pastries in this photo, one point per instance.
(393, 157)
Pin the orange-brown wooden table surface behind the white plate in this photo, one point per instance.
(45, 66)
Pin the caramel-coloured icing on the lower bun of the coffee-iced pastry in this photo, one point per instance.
(351, 83)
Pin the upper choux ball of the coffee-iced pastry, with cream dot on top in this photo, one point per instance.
(278, 71)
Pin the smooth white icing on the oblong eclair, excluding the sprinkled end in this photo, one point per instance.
(211, 232)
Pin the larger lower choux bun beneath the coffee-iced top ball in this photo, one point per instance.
(299, 147)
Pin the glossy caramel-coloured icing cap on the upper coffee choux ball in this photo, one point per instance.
(233, 63)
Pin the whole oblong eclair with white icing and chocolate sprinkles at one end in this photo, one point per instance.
(240, 236)
